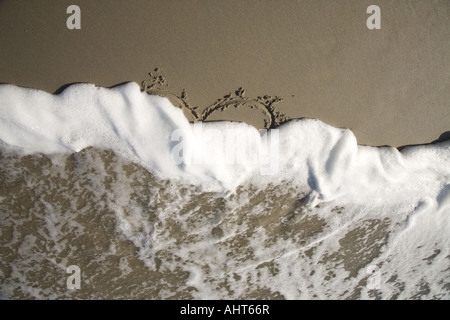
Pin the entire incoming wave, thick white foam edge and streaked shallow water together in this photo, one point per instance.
(149, 206)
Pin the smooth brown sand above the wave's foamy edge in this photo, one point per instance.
(390, 86)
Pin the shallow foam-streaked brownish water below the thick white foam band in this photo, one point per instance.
(136, 236)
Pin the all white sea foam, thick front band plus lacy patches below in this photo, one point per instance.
(409, 189)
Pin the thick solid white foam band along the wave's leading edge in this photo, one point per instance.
(142, 127)
